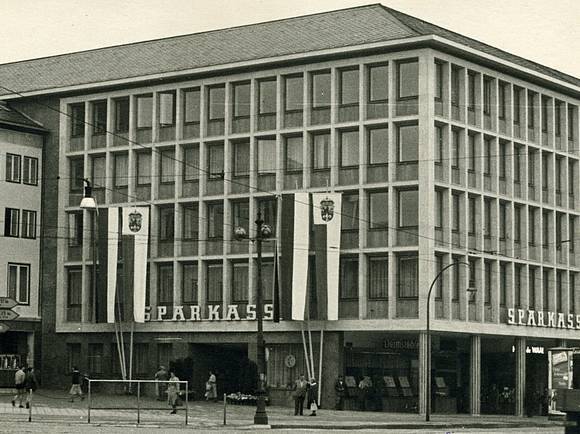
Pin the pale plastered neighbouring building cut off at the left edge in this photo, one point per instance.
(21, 141)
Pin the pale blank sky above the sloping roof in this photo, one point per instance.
(546, 31)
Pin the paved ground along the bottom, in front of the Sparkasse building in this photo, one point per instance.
(52, 410)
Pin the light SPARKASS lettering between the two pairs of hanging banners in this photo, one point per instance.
(231, 312)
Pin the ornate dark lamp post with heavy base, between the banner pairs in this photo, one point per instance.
(263, 231)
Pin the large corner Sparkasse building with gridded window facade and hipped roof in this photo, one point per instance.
(444, 149)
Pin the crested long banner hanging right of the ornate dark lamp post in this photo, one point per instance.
(327, 224)
